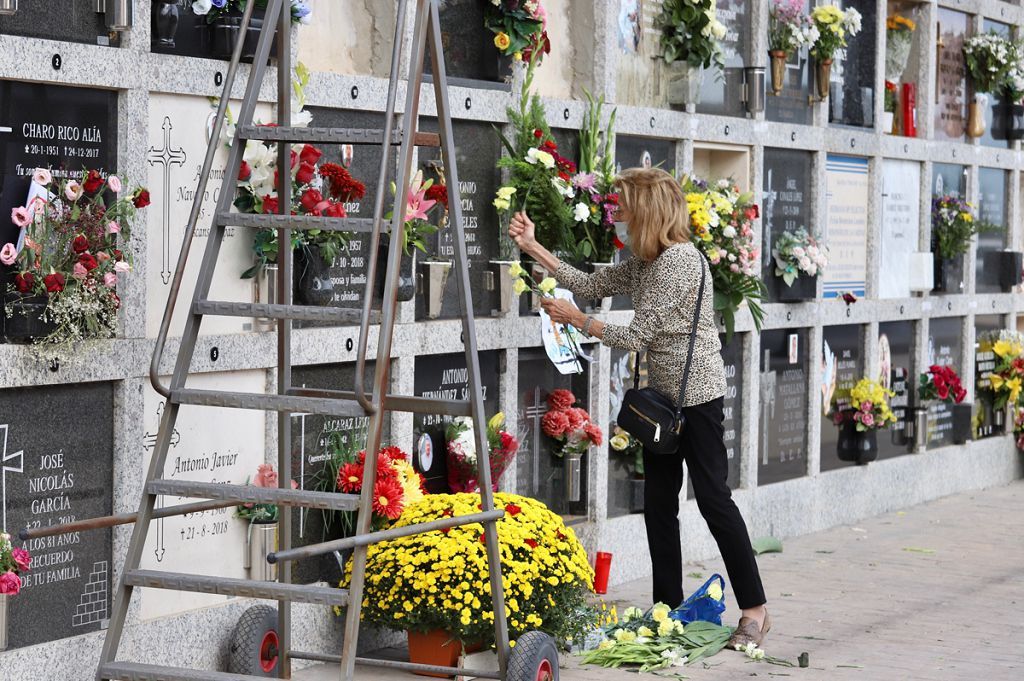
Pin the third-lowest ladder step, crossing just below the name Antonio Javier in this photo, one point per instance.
(250, 494)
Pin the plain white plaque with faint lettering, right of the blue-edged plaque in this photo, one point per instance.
(901, 226)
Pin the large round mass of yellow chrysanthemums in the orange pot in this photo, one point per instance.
(440, 580)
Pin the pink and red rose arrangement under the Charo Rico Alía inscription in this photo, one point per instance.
(74, 247)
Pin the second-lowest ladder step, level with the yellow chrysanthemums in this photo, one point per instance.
(224, 586)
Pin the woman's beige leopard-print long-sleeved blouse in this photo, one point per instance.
(664, 294)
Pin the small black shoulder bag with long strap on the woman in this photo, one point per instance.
(652, 417)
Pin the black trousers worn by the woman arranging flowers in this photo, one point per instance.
(704, 451)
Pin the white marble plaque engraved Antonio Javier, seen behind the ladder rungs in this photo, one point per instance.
(208, 445)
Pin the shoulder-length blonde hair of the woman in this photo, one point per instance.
(657, 209)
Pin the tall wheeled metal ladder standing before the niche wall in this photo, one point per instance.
(357, 403)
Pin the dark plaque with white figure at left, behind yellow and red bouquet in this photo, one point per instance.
(843, 365)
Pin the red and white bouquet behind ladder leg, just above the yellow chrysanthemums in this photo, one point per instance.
(462, 461)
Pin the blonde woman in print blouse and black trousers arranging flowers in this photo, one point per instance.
(663, 279)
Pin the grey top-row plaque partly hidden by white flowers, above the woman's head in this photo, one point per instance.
(723, 95)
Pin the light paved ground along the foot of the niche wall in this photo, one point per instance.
(867, 608)
